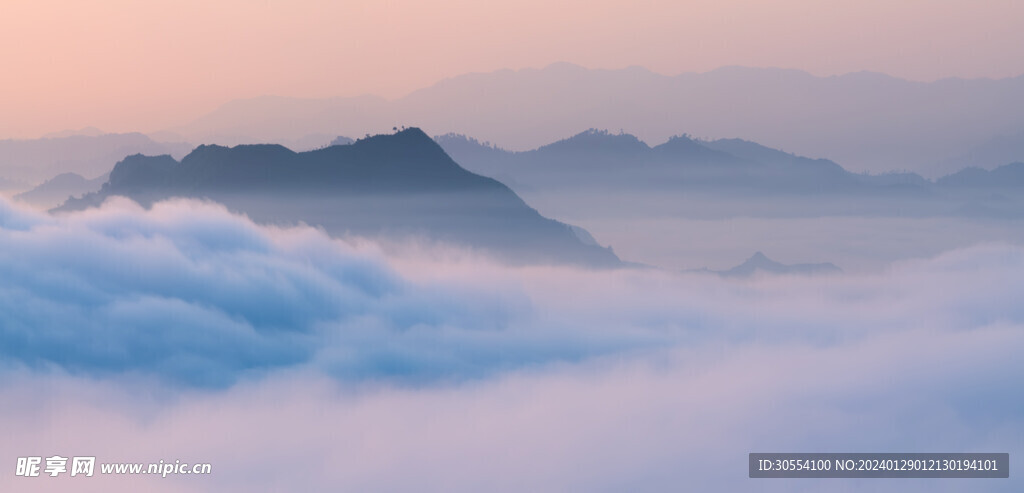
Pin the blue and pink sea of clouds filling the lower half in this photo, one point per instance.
(296, 362)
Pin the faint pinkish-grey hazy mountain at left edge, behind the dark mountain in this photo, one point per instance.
(37, 160)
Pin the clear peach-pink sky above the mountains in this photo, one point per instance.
(147, 66)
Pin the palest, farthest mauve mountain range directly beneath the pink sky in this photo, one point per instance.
(869, 122)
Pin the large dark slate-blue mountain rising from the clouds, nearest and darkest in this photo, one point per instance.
(398, 185)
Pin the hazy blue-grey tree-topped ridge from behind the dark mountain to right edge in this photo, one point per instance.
(728, 178)
